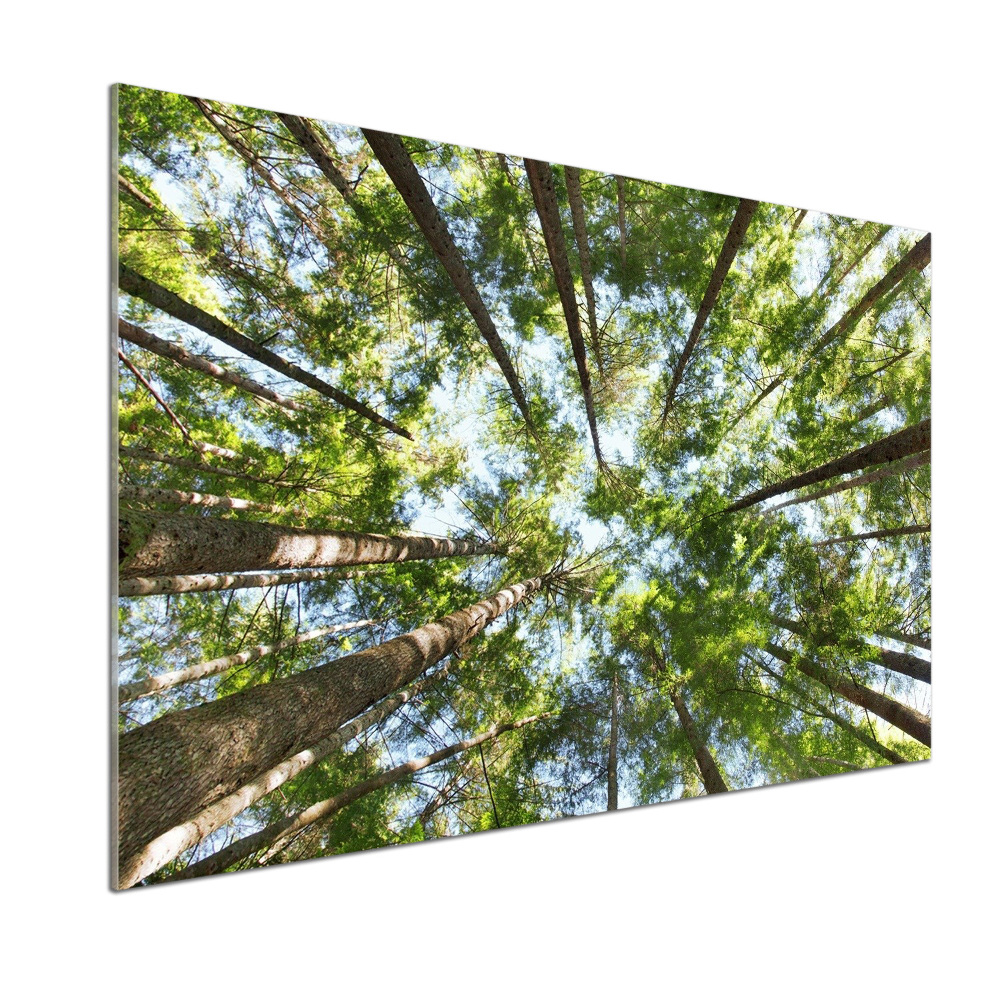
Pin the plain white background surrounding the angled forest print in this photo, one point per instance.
(881, 883)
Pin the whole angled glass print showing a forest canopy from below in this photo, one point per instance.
(459, 490)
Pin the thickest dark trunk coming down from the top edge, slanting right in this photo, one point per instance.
(394, 158)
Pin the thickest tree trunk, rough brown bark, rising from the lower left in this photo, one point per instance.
(177, 765)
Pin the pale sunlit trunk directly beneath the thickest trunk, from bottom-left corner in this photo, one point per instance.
(169, 845)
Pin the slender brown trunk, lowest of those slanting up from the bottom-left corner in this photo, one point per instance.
(281, 830)
